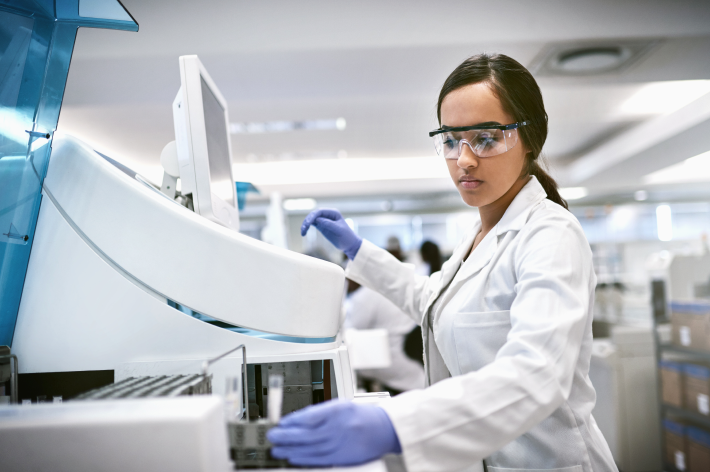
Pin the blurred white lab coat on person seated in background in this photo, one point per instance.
(367, 309)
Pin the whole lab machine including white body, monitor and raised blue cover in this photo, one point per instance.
(124, 278)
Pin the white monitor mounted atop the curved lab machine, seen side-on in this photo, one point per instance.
(204, 150)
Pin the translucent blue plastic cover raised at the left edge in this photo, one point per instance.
(36, 43)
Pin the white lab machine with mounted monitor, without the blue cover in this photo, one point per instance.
(124, 279)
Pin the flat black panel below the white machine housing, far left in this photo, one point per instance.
(66, 384)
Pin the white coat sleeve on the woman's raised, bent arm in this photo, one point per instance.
(379, 270)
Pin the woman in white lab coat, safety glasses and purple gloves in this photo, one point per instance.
(507, 322)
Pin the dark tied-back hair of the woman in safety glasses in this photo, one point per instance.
(520, 96)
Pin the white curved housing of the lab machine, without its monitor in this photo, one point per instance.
(110, 252)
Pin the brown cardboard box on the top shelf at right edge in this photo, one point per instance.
(690, 324)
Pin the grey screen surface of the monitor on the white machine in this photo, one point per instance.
(217, 147)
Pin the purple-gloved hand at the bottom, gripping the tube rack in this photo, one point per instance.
(334, 433)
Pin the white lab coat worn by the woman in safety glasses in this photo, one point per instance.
(513, 331)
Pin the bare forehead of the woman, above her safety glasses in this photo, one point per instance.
(472, 104)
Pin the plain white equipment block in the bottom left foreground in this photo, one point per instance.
(185, 434)
